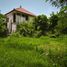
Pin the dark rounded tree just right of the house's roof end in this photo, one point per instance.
(40, 23)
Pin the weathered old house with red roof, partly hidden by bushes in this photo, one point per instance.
(17, 16)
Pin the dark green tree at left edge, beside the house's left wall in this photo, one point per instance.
(3, 27)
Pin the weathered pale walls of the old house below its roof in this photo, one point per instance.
(19, 19)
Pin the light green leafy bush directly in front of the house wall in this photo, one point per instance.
(25, 29)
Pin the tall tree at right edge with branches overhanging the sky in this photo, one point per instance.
(61, 26)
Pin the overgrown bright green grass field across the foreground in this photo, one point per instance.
(33, 52)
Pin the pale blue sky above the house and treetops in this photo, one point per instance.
(37, 7)
